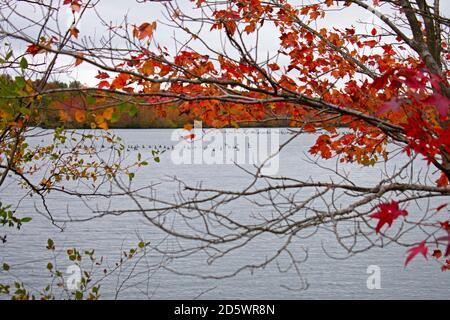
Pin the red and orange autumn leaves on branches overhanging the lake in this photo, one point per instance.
(384, 85)
